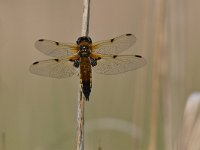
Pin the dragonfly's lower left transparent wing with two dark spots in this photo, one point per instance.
(55, 68)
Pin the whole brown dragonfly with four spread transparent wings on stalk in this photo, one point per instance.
(84, 56)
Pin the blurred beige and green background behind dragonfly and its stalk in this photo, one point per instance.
(141, 109)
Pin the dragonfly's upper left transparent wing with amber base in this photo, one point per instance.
(55, 49)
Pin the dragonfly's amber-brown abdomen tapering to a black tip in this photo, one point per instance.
(85, 76)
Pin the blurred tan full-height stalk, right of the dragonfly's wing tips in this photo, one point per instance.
(156, 74)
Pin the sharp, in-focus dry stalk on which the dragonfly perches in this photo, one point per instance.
(80, 113)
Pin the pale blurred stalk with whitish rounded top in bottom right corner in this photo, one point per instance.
(190, 132)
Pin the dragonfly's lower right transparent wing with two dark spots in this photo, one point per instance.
(115, 64)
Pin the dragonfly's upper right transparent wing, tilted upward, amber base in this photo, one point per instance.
(115, 45)
